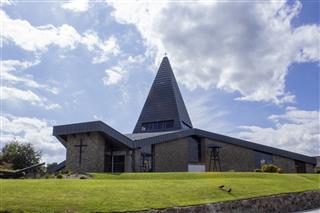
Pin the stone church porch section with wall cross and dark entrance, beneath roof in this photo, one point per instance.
(96, 152)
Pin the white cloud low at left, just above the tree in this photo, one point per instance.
(32, 130)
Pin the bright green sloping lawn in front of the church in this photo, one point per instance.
(134, 191)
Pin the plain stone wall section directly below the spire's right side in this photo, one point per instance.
(171, 156)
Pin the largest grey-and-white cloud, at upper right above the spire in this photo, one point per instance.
(245, 47)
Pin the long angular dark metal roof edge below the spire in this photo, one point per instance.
(142, 139)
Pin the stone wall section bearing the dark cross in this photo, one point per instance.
(92, 159)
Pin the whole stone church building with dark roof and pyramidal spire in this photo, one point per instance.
(164, 140)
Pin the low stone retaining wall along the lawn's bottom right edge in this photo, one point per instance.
(290, 202)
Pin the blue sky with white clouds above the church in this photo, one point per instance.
(246, 69)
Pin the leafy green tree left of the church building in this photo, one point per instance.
(20, 155)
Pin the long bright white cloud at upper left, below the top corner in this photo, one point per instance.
(38, 39)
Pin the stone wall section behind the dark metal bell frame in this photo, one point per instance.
(231, 157)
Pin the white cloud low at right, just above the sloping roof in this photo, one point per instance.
(296, 130)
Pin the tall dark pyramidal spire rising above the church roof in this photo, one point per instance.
(164, 109)
